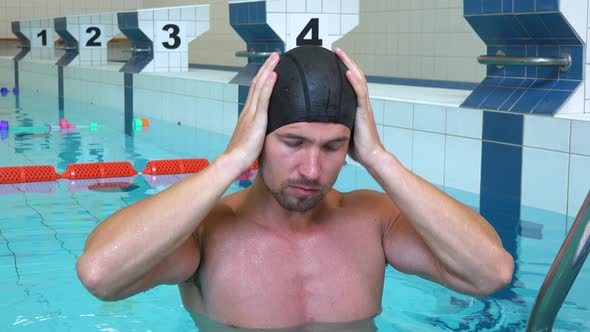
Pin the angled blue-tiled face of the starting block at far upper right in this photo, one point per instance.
(542, 33)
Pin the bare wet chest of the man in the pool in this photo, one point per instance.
(321, 277)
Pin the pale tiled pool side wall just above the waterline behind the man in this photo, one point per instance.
(441, 143)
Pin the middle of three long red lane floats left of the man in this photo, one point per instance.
(99, 170)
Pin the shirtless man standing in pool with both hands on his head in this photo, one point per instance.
(290, 250)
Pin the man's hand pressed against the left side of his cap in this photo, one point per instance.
(248, 137)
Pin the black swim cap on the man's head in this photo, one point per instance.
(311, 87)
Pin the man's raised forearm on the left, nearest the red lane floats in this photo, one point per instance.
(131, 242)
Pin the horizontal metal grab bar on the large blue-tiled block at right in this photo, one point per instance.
(564, 61)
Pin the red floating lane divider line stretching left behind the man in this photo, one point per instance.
(102, 170)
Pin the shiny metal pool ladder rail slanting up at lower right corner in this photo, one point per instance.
(563, 272)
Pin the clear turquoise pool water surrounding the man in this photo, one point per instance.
(43, 228)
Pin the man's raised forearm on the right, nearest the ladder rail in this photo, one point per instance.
(463, 242)
